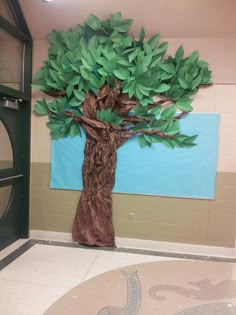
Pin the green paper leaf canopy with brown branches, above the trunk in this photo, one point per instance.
(150, 92)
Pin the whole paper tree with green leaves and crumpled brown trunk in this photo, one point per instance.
(114, 87)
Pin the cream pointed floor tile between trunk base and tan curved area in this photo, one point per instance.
(107, 261)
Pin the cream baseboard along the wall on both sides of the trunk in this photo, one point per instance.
(166, 247)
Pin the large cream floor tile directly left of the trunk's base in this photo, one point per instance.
(51, 265)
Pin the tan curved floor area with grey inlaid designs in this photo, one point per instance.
(166, 288)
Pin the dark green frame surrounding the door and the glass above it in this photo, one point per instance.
(21, 32)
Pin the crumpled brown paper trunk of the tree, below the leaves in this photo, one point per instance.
(93, 221)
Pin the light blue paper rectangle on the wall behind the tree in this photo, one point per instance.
(154, 170)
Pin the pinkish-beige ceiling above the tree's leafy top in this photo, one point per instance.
(170, 18)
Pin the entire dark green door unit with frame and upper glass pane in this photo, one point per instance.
(15, 75)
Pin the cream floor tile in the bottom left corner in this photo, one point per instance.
(19, 298)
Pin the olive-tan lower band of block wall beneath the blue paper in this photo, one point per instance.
(158, 218)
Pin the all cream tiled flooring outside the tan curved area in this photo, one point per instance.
(44, 273)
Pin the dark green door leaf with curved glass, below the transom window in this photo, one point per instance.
(12, 176)
